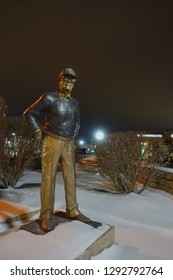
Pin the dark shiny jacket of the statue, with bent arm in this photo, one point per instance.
(59, 117)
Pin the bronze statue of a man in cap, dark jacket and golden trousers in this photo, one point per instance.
(61, 120)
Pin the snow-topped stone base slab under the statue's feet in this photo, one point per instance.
(72, 240)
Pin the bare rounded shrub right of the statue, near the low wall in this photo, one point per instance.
(125, 157)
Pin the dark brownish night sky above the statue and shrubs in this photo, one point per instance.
(121, 50)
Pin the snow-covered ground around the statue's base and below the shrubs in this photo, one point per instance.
(143, 223)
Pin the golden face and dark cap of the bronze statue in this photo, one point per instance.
(66, 80)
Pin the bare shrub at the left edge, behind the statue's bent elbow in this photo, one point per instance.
(16, 149)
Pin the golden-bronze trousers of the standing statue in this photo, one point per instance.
(55, 150)
